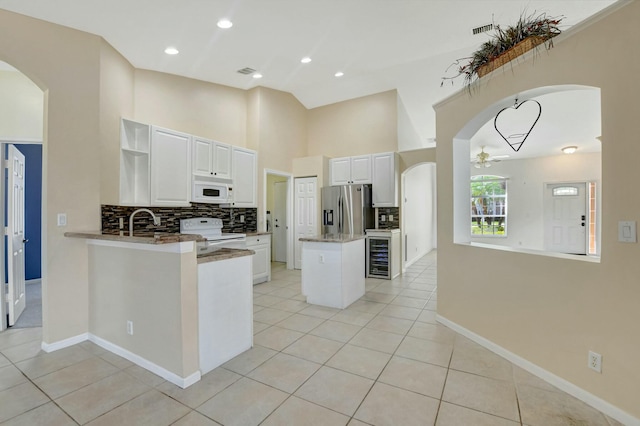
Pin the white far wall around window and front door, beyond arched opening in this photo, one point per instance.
(525, 191)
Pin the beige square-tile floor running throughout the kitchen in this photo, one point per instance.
(382, 361)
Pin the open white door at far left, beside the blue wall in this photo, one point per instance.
(16, 298)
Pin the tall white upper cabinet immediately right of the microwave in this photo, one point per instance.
(245, 173)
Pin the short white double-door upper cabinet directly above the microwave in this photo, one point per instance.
(211, 158)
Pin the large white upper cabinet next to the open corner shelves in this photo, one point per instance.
(170, 167)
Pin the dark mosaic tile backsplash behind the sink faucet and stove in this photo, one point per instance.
(170, 218)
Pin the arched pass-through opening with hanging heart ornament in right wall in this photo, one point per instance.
(528, 171)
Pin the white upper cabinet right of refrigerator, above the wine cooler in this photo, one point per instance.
(384, 190)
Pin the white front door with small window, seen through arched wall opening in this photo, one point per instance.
(566, 219)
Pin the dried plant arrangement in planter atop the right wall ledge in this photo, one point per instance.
(506, 45)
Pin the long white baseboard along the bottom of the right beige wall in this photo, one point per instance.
(562, 384)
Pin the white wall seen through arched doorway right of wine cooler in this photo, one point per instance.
(418, 207)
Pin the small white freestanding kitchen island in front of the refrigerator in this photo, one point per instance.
(333, 269)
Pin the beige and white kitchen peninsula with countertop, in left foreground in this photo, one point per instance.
(155, 302)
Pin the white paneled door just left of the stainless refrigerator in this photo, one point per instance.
(306, 202)
